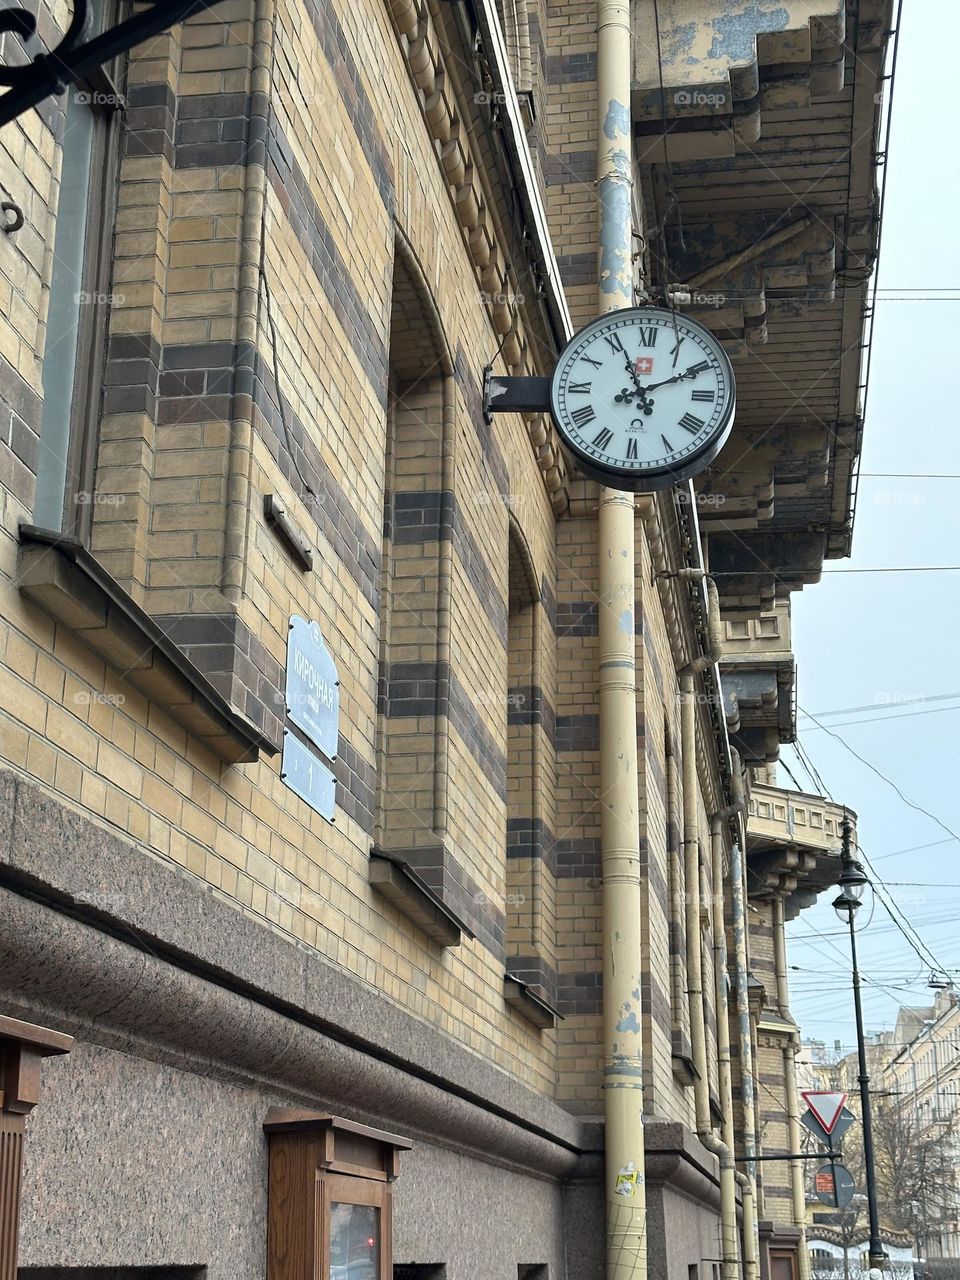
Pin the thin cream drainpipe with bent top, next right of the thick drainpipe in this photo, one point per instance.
(694, 943)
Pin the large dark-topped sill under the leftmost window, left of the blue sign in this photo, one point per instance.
(62, 578)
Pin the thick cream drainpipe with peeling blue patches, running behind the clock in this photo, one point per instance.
(620, 813)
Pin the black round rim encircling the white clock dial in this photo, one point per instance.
(648, 479)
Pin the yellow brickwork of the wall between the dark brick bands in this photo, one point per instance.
(188, 536)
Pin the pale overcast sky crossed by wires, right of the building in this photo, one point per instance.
(879, 639)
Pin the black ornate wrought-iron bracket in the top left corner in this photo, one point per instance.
(49, 74)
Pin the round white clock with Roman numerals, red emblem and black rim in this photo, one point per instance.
(643, 397)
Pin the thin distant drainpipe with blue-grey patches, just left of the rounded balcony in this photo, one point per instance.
(752, 1249)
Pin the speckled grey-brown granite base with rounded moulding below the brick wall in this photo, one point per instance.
(193, 1021)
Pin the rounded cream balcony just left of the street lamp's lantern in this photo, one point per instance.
(793, 845)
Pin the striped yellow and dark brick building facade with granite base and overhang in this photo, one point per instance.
(244, 333)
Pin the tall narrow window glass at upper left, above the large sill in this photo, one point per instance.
(80, 301)
